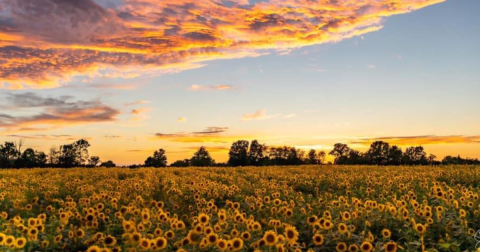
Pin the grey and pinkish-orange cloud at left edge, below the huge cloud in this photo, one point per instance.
(52, 112)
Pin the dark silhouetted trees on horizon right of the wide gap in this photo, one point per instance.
(243, 153)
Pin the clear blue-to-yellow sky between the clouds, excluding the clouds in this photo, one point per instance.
(416, 77)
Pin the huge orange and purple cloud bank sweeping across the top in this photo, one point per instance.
(47, 42)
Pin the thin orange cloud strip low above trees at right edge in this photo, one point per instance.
(420, 140)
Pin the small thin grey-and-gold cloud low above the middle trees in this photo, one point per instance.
(209, 135)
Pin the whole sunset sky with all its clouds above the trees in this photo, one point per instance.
(134, 76)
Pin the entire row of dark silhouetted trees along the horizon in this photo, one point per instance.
(241, 153)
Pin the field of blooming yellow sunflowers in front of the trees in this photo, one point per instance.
(317, 208)
